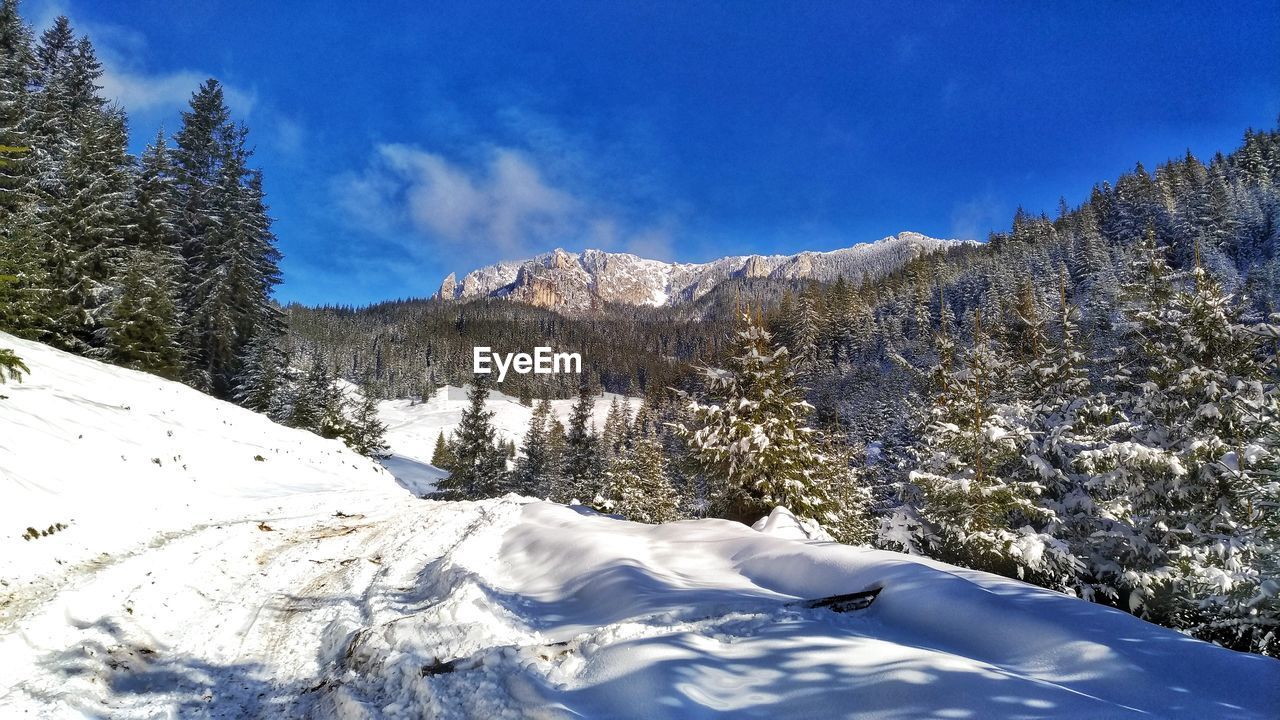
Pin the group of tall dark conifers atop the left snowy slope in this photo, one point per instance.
(164, 263)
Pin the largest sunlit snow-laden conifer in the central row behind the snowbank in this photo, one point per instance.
(749, 439)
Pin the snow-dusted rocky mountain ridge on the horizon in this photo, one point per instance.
(577, 282)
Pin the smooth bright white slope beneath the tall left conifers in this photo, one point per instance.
(117, 457)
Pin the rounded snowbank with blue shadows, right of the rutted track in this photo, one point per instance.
(550, 612)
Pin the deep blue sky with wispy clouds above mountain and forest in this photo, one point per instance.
(405, 140)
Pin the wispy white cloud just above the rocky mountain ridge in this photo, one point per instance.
(501, 207)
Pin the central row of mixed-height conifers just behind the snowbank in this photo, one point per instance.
(737, 449)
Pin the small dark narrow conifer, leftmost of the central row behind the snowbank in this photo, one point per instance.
(479, 464)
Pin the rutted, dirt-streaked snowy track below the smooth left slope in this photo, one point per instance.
(225, 622)
